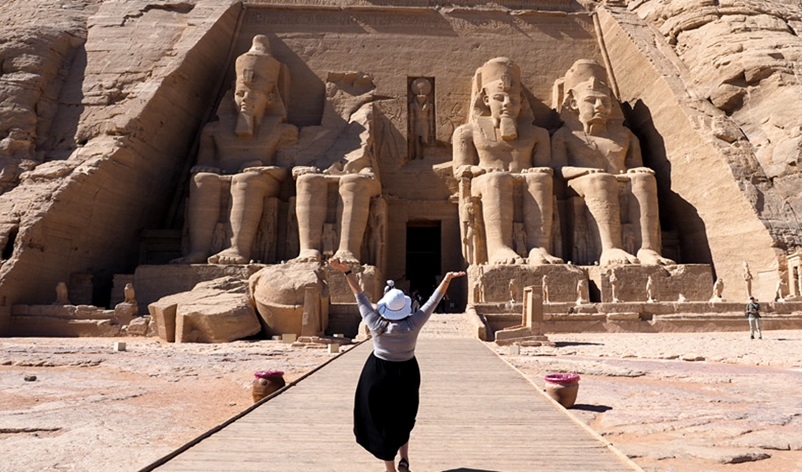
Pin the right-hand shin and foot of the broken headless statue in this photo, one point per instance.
(355, 191)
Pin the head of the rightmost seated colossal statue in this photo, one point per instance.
(587, 92)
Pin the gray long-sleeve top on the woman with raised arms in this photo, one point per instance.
(397, 341)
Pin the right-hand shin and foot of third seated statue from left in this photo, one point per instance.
(538, 211)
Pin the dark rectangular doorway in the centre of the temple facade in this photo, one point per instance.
(423, 256)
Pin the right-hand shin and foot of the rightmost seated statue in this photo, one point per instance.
(644, 192)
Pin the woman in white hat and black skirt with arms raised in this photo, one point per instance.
(387, 395)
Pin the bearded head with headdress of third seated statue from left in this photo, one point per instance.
(498, 93)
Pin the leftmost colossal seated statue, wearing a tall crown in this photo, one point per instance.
(238, 151)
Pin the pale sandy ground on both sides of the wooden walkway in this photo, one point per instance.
(672, 402)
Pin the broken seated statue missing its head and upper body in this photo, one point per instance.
(344, 163)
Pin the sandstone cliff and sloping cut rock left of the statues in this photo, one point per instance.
(107, 132)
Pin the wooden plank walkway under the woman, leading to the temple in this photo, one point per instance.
(477, 414)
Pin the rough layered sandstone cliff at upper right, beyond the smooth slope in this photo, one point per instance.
(744, 59)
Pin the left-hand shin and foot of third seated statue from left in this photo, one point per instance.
(496, 192)
